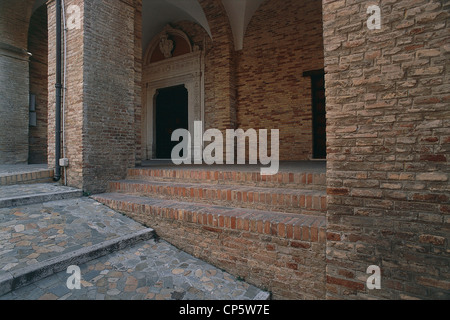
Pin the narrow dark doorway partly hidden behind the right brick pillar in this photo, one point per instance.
(319, 114)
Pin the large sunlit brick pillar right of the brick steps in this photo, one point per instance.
(387, 100)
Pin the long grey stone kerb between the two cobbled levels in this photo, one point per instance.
(25, 276)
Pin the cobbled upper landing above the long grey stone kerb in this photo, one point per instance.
(35, 233)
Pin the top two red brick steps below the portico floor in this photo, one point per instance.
(288, 192)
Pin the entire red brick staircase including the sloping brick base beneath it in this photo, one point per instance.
(237, 219)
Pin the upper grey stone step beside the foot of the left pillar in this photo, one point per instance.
(26, 194)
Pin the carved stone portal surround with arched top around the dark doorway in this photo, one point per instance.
(171, 60)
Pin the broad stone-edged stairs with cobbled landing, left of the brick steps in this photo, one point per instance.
(29, 209)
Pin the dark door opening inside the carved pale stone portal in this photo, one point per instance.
(171, 114)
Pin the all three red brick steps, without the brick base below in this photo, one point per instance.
(282, 201)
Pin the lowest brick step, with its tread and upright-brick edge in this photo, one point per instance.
(214, 218)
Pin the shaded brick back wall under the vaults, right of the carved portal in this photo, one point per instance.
(262, 86)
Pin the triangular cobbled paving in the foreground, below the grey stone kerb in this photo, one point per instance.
(151, 270)
